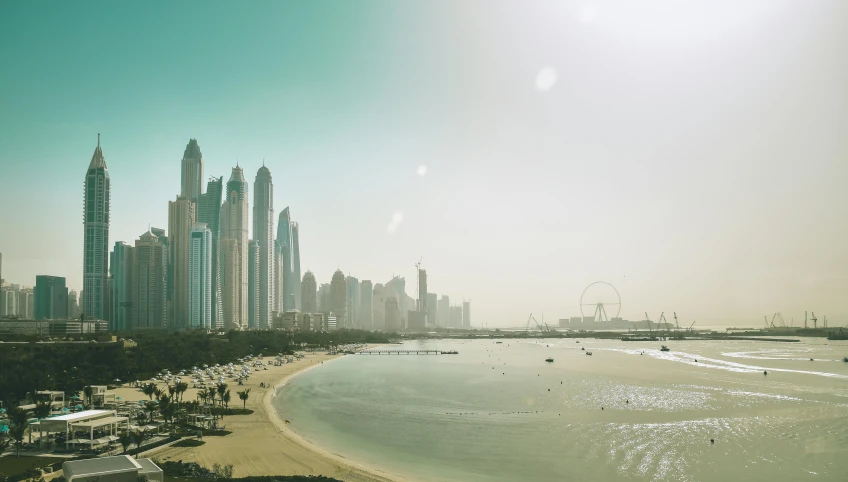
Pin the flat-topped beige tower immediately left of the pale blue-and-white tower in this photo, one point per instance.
(181, 218)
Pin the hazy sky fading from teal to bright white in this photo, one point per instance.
(691, 153)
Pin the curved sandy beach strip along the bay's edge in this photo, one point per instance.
(261, 443)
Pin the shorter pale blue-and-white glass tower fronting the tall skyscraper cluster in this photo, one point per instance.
(200, 278)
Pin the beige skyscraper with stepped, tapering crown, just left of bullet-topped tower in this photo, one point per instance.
(234, 255)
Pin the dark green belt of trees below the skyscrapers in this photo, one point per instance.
(25, 368)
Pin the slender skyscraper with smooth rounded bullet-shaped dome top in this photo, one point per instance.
(263, 233)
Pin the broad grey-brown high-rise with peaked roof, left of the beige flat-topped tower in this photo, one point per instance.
(149, 283)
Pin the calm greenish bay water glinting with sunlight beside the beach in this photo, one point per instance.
(500, 412)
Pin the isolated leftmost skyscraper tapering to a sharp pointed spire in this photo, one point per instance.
(96, 235)
